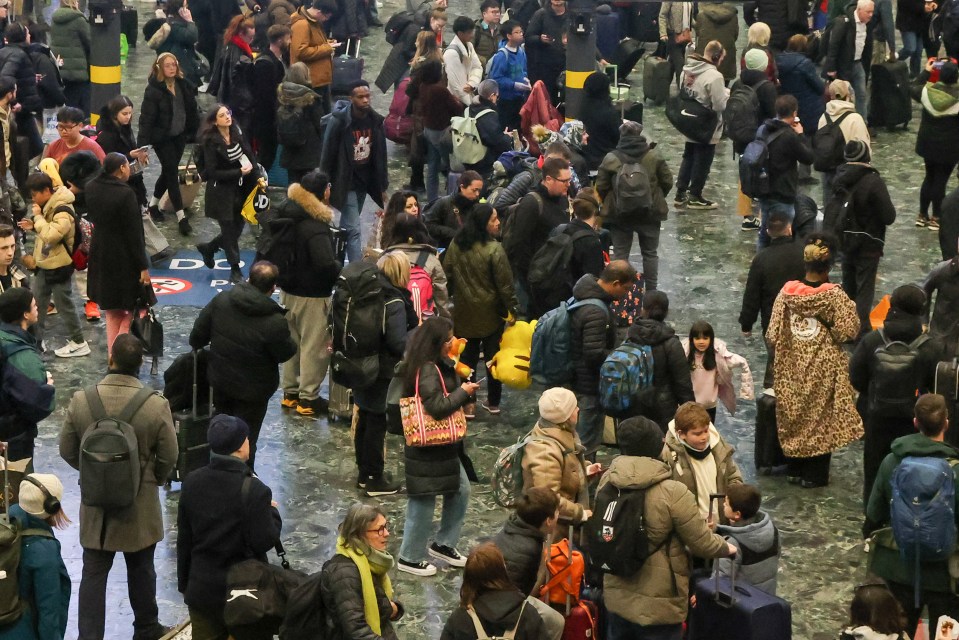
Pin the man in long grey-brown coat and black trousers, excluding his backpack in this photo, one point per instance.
(135, 530)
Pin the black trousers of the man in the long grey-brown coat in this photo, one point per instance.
(141, 587)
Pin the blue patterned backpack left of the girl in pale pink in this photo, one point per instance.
(626, 373)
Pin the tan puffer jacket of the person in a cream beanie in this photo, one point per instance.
(554, 459)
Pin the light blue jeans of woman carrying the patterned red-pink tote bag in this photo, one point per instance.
(419, 521)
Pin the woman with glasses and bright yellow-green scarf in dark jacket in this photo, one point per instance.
(355, 583)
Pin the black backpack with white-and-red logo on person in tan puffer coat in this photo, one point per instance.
(616, 533)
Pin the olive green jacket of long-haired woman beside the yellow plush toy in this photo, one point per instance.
(480, 282)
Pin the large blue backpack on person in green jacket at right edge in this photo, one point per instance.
(922, 511)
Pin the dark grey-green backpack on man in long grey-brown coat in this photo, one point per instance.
(109, 456)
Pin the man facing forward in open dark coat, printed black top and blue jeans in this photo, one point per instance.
(354, 157)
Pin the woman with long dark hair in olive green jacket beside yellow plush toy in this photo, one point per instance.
(480, 282)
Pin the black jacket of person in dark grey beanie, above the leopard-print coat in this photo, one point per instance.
(871, 204)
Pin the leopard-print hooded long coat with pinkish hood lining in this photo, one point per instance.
(815, 413)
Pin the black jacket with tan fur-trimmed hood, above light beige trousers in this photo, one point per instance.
(317, 266)
